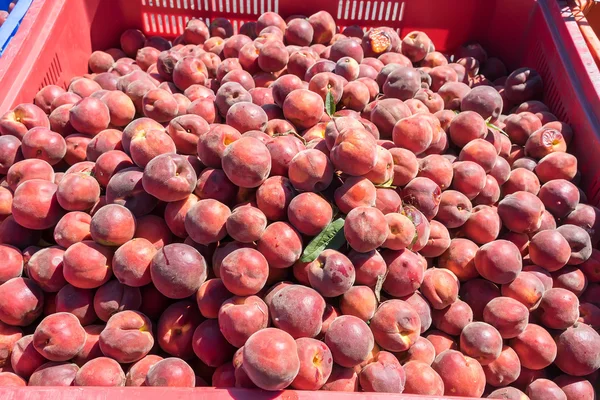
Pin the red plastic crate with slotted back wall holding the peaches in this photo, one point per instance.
(537, 33)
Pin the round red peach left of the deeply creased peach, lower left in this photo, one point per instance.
(59, 337)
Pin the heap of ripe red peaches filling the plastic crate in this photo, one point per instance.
(296, 207)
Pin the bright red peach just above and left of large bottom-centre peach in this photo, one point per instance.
(240, 317)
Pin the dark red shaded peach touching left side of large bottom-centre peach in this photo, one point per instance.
(210, 345)
